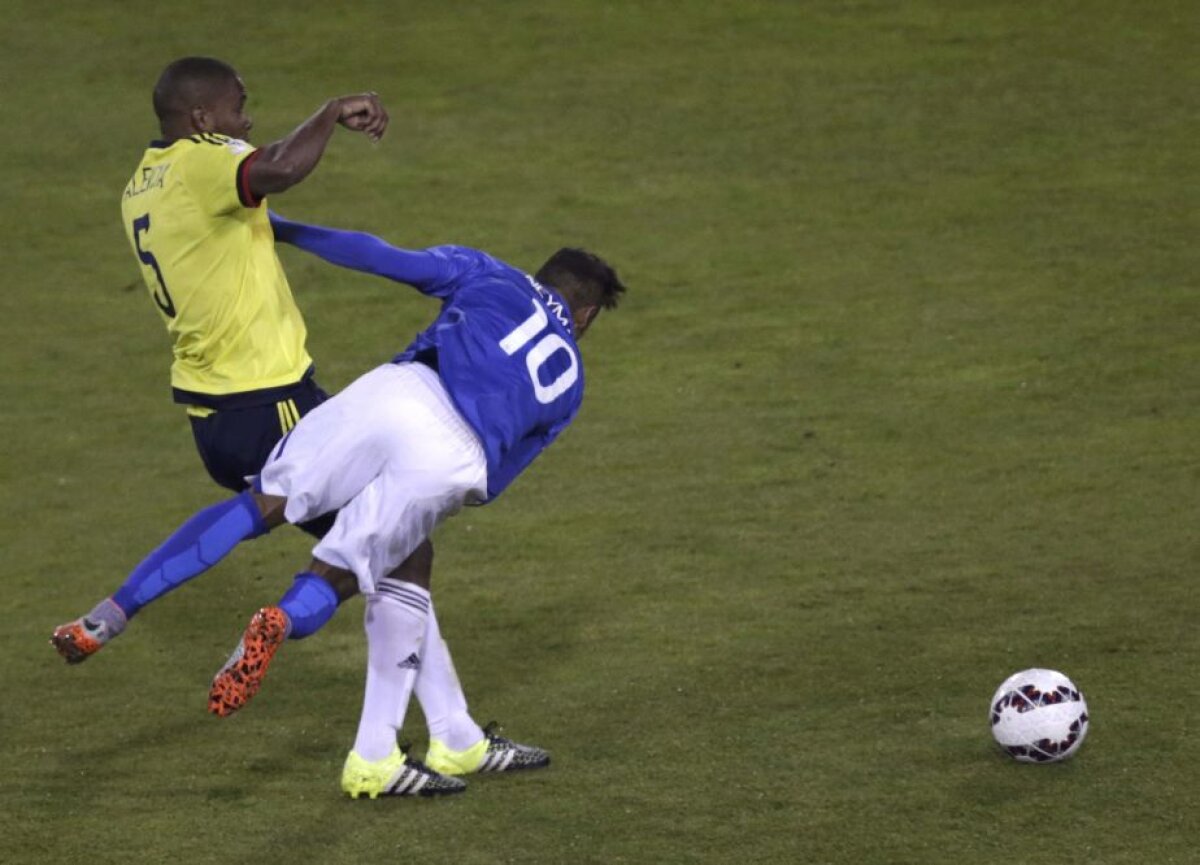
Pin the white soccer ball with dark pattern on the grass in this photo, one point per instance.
(1039, 717)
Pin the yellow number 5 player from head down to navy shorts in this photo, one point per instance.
(196, 220)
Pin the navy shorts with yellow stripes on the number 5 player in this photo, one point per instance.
(235, 443)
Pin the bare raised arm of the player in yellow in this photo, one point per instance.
(286, 163)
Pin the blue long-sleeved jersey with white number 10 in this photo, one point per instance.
(503, 345)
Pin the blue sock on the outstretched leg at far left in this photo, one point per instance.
(196, 546)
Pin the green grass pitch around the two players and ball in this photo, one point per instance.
(905, 398)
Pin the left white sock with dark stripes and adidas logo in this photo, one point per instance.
(395, 626)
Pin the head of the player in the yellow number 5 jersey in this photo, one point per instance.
(201, 95)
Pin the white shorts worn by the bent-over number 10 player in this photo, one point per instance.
(393, 455)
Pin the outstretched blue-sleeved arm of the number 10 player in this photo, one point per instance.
(361, 251)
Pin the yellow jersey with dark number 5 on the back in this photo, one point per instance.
(207, 254)
